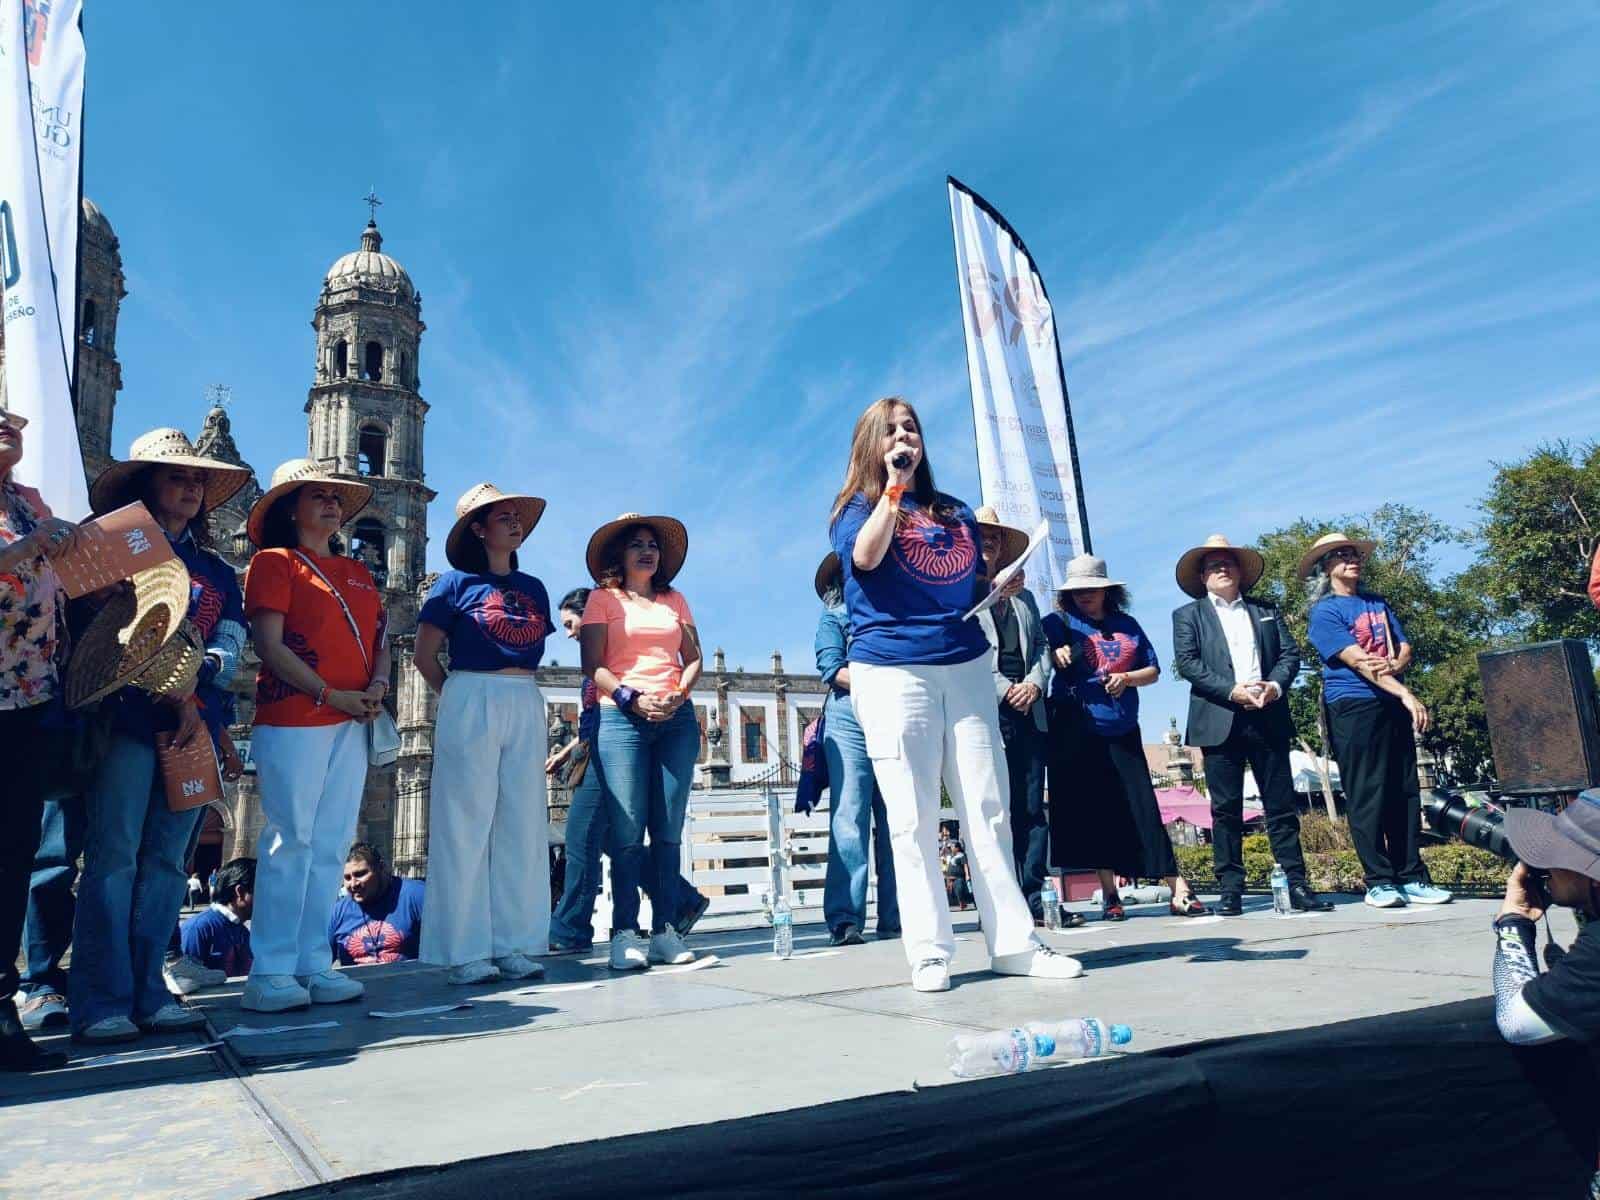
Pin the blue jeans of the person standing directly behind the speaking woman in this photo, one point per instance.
(857, 815)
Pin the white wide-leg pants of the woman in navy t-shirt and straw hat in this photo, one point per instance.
(489, 846)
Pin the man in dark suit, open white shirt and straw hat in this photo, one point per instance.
(1241, 663)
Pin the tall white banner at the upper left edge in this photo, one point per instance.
(41, 159)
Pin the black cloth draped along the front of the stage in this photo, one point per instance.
(1422, 1103)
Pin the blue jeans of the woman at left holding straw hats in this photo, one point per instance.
(132, 889)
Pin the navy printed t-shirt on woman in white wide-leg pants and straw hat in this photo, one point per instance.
(494, 622)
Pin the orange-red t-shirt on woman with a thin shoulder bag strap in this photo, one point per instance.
(314, 628)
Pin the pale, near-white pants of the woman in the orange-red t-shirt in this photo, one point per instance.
(311, 786)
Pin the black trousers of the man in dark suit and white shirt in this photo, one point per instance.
(1225, 775)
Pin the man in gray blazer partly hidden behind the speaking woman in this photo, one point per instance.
(1020, 660)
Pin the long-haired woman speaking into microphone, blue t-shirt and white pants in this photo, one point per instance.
(924, 694)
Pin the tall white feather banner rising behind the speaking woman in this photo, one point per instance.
(1028, 457)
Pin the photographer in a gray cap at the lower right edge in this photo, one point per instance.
(1561, 865)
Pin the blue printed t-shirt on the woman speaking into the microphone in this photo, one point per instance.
(910, 609)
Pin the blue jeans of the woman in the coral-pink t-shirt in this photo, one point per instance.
(649, 770)
